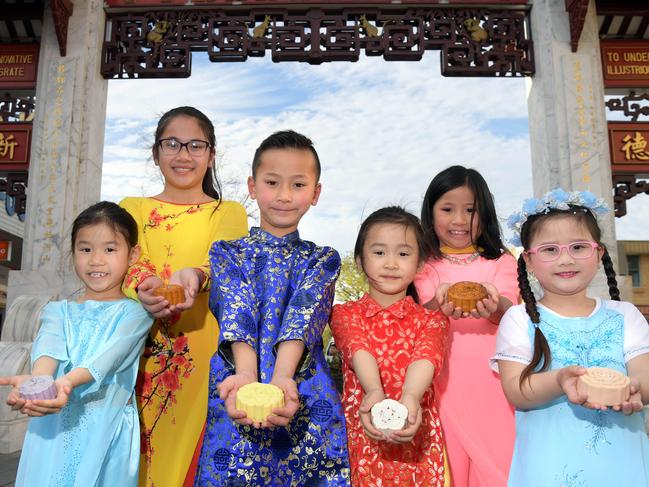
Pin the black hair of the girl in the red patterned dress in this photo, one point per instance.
(397, 216)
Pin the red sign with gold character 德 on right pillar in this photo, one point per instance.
(629, 145)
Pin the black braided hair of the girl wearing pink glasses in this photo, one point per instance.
(542, 357)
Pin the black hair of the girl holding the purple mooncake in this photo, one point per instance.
(112, 215)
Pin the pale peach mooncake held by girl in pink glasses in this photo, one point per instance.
(606, 387)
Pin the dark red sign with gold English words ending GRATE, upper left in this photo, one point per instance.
(18, 65)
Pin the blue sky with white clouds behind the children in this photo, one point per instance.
(382, 129)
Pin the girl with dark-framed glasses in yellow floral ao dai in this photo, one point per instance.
(177, 228)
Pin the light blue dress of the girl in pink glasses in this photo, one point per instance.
(566, 445)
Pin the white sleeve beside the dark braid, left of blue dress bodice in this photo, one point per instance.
(513, 339)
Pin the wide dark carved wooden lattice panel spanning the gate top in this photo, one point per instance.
(473, 42)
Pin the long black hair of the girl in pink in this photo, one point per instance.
(490, 239)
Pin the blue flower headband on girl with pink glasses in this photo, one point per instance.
(557, 199)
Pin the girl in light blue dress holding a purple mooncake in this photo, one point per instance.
(89, 434)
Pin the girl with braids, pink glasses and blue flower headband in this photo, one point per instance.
(542, 348)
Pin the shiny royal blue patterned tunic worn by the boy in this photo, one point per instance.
(266, 290)
